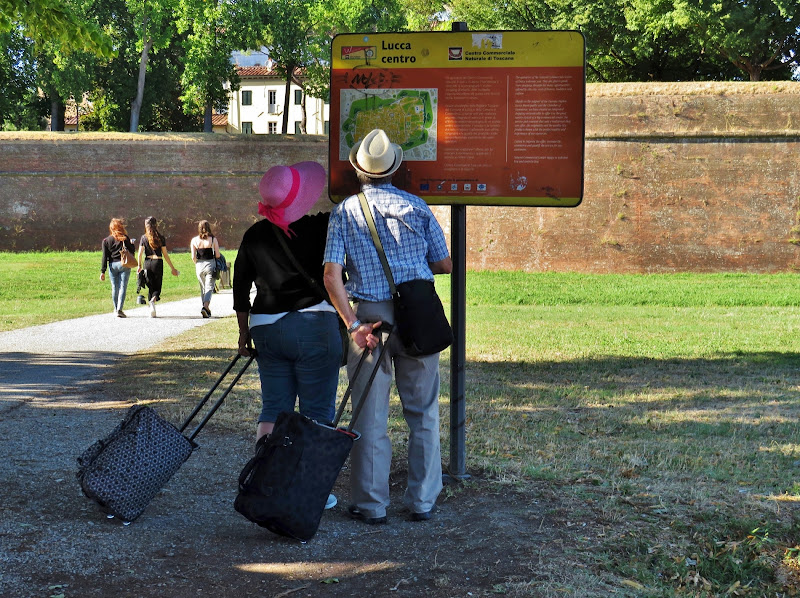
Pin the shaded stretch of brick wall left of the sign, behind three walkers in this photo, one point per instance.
(60, 190)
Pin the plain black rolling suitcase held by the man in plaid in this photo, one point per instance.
(285, 486)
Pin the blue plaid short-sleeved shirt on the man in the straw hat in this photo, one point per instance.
(411, 237)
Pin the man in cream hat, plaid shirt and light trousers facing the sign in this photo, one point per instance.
(415, 248)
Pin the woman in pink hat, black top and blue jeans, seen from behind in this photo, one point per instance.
(291, 322)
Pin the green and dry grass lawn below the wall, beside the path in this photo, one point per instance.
(668, 404)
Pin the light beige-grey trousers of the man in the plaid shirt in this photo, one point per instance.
(417, 380)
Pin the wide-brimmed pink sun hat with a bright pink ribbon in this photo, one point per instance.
(289, 192)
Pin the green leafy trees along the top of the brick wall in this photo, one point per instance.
(164, 65)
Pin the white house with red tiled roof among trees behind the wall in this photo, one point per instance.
(258, 105)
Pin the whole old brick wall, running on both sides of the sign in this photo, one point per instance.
(678, 177)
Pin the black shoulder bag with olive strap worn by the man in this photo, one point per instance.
(418, 311)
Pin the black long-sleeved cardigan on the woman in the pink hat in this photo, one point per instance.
(279, 286)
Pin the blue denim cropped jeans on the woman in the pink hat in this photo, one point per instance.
(298, 358)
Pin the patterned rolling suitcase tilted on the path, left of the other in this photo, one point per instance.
(125, 470)
